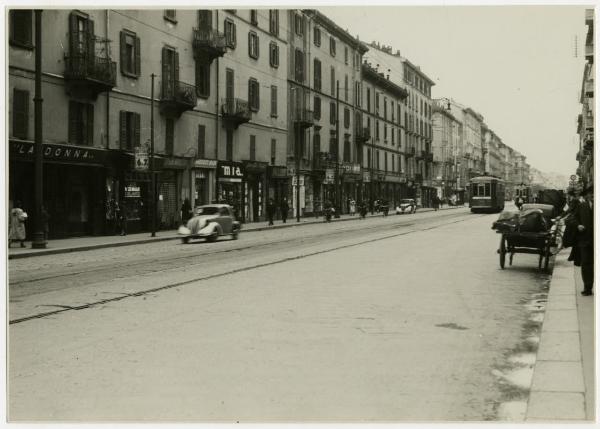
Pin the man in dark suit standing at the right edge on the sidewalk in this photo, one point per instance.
(584, 217)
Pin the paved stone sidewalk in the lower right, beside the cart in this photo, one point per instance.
(563, 378)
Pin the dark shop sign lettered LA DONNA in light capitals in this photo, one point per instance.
(58, 152)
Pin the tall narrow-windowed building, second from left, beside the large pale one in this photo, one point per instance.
(324, 85)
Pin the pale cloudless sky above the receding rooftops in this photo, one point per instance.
(515, 65)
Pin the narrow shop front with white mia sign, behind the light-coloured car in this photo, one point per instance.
(230, 186)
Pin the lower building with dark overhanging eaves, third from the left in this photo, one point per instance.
(382, 125)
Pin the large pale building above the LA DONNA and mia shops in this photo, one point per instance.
(215, 138)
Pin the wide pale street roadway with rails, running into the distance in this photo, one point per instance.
(404, 318)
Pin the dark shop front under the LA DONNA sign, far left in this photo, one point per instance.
(73, 181)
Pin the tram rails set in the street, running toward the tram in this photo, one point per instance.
(65, 308)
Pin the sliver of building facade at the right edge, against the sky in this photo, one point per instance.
(585, 128)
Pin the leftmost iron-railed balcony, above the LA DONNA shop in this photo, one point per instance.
(87, 76)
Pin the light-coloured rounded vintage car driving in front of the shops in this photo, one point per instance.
(210, 222)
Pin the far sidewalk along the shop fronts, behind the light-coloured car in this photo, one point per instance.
(79, 244)
